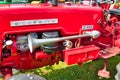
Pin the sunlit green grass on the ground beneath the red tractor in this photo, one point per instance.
(88, 71)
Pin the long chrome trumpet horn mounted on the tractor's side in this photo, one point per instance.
(34, 43)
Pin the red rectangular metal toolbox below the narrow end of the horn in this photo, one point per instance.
(80, 55)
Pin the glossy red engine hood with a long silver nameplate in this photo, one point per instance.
(70, 19)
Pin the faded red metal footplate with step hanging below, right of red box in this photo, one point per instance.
(107, 53)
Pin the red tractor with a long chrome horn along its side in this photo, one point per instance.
(36, 35)
